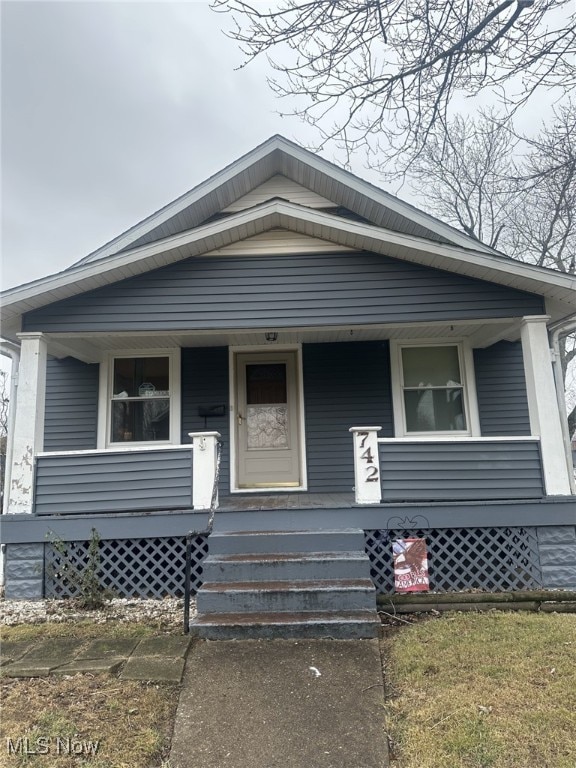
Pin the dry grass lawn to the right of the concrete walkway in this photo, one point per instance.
(490, 690)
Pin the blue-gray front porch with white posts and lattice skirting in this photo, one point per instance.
(491, 496)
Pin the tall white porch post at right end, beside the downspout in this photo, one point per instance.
(543, 405)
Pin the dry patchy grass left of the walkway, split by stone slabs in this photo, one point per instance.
(132, 721)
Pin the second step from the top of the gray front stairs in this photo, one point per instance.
(284, 566)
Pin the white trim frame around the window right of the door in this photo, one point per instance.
(466, 360)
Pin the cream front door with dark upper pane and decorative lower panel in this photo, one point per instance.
(267, 420)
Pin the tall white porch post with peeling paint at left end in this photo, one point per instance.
(28, 421)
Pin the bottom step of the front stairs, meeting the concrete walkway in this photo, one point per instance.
(338, 625)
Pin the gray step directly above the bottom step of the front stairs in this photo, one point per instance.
(290, 596)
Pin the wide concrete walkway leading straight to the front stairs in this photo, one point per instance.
(281, 704)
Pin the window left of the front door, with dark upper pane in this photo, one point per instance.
(142, 406)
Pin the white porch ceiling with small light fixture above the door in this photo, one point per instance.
(91, 347)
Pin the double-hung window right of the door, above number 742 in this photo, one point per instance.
(431, 392)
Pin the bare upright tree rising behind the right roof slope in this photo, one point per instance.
(510, 190)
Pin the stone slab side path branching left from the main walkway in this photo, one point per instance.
(160, 659)
